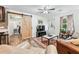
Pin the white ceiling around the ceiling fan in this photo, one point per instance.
(33, 9)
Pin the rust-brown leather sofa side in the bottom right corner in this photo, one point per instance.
(66, 48)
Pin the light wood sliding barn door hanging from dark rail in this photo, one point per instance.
(26, 27)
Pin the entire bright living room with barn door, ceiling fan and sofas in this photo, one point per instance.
(49, 29)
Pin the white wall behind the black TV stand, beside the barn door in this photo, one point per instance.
(35, 19)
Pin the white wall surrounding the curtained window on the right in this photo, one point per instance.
(75, 18)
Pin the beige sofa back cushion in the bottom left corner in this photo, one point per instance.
(7, 49)
